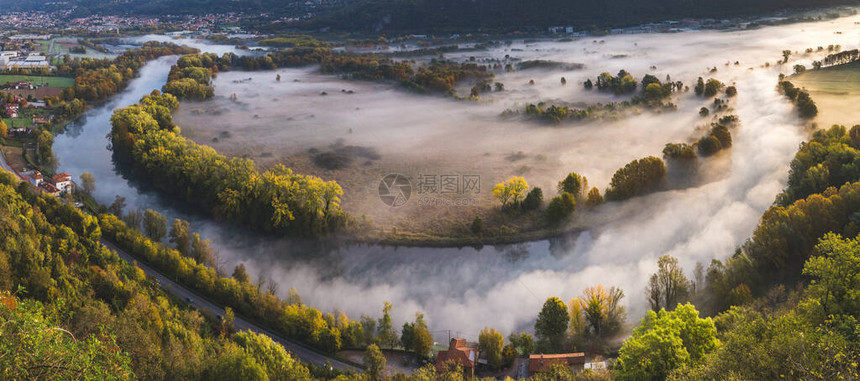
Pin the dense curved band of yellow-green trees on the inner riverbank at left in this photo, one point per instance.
(277, 200)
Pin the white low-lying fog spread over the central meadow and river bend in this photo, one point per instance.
(503, 287)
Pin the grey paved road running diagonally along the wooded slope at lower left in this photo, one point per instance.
(302, 353)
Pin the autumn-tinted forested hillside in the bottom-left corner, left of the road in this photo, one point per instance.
(81, 312)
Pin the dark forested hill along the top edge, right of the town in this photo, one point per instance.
(440, 15)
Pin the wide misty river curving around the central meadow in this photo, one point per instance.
(465, 289)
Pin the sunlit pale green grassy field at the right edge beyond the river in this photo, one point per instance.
(836, 91)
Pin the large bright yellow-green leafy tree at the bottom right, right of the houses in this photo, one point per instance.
(665, 341)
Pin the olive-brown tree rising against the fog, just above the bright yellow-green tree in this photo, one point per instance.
(668, 286)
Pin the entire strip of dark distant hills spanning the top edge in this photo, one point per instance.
(438, 15)
